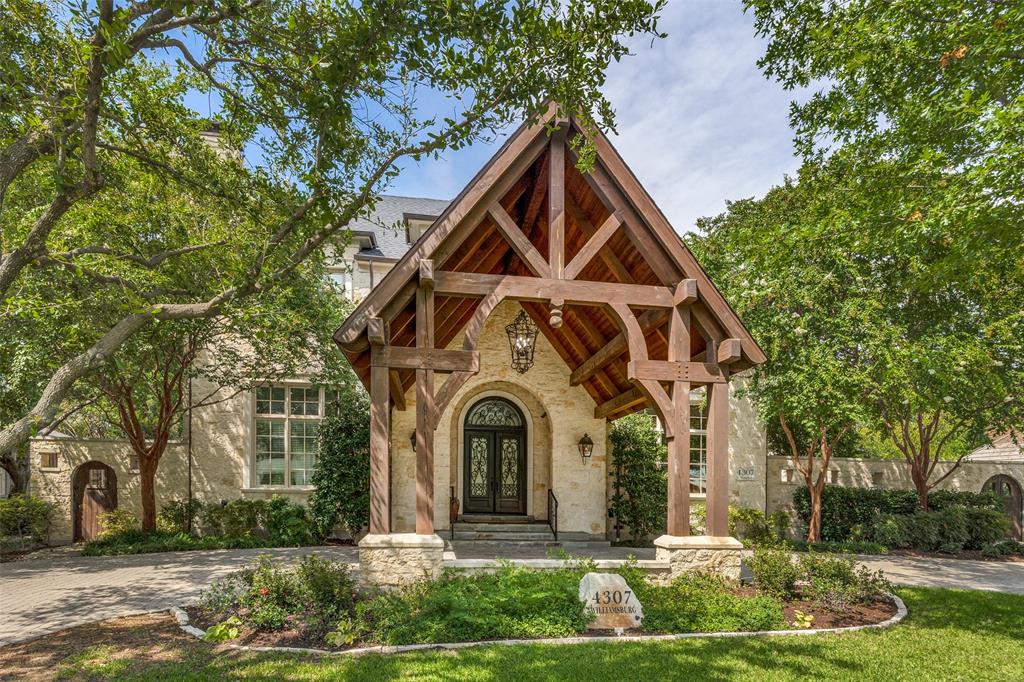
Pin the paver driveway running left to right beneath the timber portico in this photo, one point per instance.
(38, 596)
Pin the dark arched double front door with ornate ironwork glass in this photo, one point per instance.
(495, 463)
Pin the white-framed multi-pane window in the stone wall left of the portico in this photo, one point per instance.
(287, 423)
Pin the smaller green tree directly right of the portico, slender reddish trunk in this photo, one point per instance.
(797, 285)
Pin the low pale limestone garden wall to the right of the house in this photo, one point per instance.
(784, 479)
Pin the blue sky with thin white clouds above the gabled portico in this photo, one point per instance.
(698, 122)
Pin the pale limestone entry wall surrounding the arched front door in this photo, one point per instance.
(559, 415)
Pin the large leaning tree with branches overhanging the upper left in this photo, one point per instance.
(318, 107)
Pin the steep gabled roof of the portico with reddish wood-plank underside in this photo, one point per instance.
(645, 250)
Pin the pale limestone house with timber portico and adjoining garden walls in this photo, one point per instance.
(621, 322)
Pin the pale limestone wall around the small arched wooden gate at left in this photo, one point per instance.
(56, 485)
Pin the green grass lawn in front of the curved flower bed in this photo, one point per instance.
(950, 635)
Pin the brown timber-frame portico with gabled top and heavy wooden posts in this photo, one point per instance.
(596, 266)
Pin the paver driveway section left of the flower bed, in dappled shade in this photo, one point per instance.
(38, 596)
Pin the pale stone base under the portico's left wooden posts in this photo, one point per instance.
(398, 560)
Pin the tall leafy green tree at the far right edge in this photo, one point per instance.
(919, 111)
